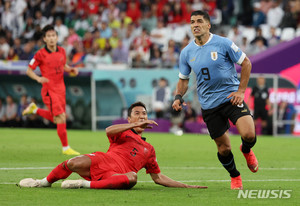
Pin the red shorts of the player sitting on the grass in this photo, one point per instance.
(102, 166)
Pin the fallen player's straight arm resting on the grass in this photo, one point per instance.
(168, 182)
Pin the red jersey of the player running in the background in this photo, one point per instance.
(52, 67)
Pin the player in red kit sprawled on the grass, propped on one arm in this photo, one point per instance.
(116, 169)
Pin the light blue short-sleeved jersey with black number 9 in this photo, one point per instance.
(213, 64)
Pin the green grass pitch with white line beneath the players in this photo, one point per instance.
(189, 158)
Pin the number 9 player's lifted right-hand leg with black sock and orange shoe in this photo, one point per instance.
(246, 128)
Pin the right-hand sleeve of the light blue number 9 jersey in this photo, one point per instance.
(234, 52)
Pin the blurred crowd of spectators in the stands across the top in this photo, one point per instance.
(140, 34)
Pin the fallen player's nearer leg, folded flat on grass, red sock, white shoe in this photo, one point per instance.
(116, 181)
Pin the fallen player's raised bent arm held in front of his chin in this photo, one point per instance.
(118, 128)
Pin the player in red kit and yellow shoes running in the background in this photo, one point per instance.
(52, 62)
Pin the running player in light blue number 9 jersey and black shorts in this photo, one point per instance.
(220, 93)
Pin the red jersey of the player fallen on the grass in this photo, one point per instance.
(132, 153)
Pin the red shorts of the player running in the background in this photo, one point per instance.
(56, 102)
